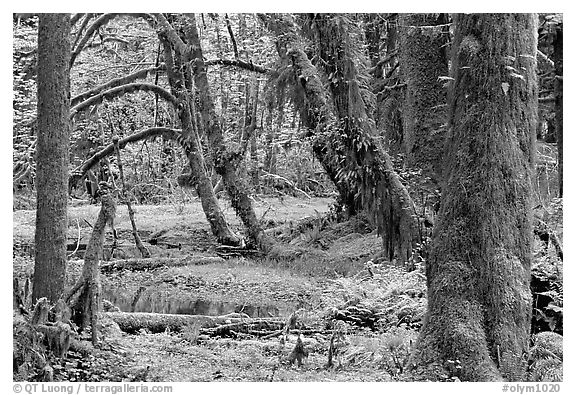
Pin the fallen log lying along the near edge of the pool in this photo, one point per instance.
(212, 325)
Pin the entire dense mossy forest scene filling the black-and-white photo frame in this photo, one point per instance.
(287, 197)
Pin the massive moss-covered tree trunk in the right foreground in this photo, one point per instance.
(479, 301)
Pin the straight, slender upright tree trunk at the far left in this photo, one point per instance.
(52, 156)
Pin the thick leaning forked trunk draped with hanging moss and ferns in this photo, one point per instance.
(345, 144)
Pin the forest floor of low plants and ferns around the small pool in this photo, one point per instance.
(318, 269)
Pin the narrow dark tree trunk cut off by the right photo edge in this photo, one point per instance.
(558, 88)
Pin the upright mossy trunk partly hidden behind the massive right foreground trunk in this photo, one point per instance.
(423, 62)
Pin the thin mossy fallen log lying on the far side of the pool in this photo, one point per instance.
(136, 264)
